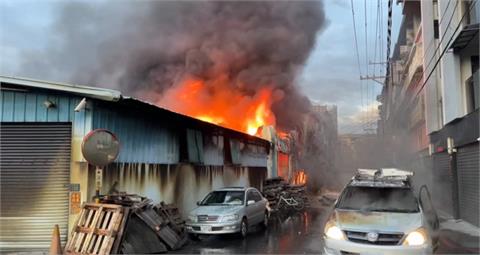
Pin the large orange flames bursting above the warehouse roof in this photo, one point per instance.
(221, 104)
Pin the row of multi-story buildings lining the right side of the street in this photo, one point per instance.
(431, 100)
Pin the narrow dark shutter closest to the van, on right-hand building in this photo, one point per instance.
(442, 183)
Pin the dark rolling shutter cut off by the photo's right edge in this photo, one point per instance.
(468, 183)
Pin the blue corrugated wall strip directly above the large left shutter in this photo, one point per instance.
(28, 106)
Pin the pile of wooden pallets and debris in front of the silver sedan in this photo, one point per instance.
(125, 223)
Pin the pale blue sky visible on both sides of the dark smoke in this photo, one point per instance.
(331, 75)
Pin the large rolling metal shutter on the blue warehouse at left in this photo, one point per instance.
(34, 176)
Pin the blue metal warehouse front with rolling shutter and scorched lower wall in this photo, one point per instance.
(163, 155)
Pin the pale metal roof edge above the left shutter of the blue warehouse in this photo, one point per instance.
(92, 92)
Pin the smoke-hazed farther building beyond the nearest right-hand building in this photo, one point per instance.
(402, 124)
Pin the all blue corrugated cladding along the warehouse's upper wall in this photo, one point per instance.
(143, 140)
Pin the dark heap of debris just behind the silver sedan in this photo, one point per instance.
(273, 188)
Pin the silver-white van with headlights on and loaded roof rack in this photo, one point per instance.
(378, 213)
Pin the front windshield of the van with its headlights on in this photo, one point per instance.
(378, 199)
